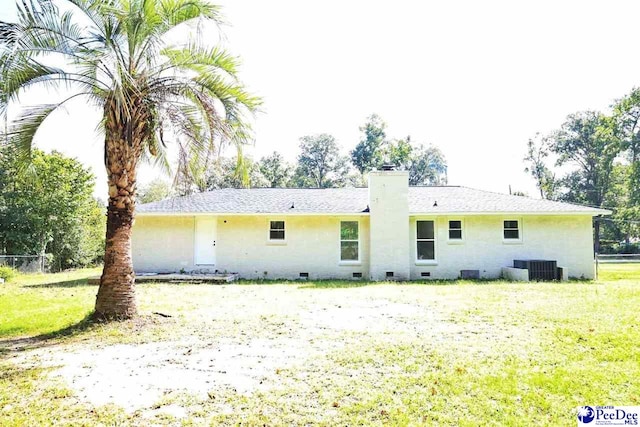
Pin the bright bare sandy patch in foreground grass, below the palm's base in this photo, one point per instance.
(137, 376)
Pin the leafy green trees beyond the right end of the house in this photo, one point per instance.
(593, 159)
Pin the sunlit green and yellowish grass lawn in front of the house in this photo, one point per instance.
(491, 353)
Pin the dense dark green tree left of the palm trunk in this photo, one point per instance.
(49, 209)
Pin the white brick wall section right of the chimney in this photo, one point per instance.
(566, 239)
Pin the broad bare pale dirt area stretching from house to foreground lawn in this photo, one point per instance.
(237, 339)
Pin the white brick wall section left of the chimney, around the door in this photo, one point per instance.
(312, 245)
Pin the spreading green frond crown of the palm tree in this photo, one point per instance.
(114, 52)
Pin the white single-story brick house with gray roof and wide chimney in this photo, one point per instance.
(386, 231)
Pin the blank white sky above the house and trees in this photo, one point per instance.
(475, 78)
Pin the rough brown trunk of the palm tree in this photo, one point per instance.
(116, 296)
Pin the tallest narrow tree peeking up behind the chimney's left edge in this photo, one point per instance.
(367, 155)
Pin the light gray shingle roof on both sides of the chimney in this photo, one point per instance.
(449, 199)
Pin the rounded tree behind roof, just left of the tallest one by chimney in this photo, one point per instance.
(320, 164)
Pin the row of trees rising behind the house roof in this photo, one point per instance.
(319, 164)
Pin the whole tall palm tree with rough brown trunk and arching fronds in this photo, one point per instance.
(122, 57)
